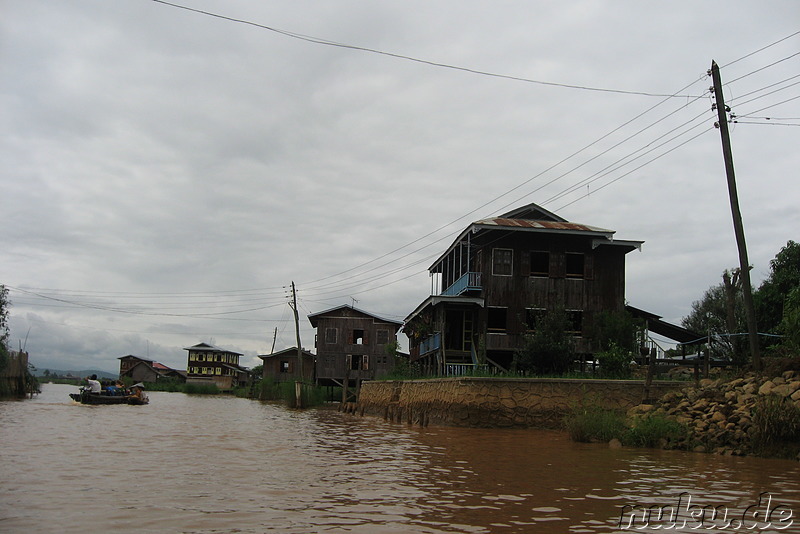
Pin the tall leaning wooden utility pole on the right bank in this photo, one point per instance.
(738, 227)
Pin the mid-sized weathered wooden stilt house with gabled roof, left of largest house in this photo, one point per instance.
(352, 344)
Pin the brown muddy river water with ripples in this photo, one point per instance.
(200, 464)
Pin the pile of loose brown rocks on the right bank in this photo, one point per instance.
(723, 416)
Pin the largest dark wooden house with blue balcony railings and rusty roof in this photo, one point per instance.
(500, 274)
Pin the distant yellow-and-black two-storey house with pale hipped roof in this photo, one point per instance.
(208, 364)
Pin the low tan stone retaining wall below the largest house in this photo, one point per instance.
(497, 402)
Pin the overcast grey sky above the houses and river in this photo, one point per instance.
(167, 174)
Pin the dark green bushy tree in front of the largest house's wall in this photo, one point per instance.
(550, 348)
